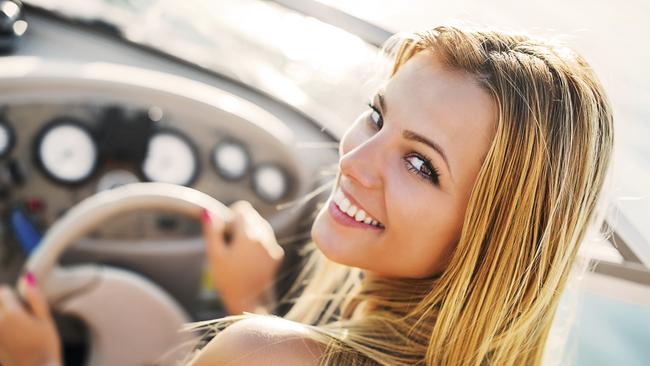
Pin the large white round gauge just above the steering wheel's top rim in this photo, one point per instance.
(170, 159)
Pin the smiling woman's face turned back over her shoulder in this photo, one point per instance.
(409, 163)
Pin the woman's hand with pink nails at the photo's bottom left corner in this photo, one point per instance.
(27, 332)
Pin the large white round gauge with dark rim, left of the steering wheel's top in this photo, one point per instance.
(66, 151)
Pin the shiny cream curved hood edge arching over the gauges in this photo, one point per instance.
(24, 73)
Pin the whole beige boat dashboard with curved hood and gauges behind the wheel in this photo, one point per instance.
(99, 113)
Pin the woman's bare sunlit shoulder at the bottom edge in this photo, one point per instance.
(260, 340)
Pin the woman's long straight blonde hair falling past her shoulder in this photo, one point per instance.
(530, 207)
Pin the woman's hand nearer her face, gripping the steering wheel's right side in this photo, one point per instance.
(244, 267)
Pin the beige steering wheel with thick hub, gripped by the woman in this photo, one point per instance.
(131, 320)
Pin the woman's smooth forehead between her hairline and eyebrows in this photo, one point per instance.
(446, 105)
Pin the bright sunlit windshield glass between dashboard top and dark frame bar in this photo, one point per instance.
(304, 62)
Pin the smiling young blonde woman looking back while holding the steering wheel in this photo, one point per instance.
(462, 197)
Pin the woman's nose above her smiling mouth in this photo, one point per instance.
(362, 163)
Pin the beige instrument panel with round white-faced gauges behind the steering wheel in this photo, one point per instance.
(53, 155)
